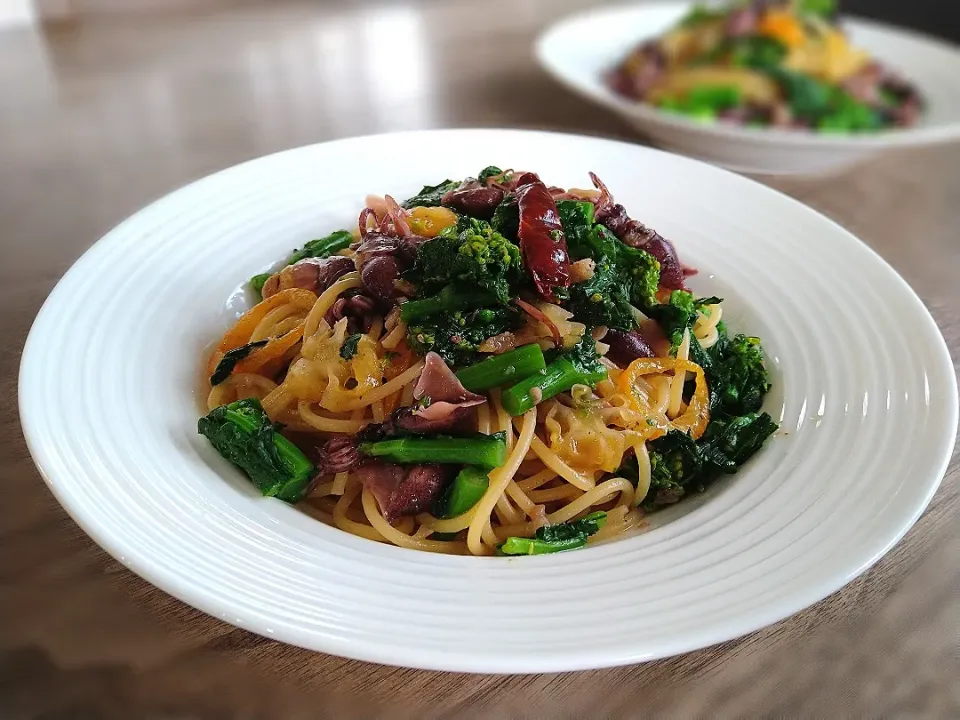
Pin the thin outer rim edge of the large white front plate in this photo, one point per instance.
(443, 660)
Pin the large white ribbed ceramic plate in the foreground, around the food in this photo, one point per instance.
(864, 386)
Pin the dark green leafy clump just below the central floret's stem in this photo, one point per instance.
(457, 336)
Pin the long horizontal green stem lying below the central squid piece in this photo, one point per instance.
(485, 451)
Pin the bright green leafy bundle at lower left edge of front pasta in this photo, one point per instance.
(244, 435)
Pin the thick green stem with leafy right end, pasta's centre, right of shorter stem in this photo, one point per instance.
(578, 366)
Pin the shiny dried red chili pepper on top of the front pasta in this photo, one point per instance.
(542, 242)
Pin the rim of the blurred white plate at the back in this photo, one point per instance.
(598, 93)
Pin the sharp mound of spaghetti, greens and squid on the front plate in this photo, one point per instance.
(494, 366)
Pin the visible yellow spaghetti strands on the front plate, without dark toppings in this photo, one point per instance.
(563, 455)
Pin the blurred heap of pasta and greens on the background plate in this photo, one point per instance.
(783, 63)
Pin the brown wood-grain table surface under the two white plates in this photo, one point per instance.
(100, 118)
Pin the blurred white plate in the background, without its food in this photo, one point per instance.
(577, 51)
